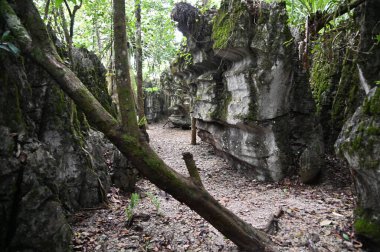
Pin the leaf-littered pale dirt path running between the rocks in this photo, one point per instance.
(314, 217)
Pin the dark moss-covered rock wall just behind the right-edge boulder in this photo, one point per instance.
(335, 81)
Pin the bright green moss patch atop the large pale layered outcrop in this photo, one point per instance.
(226, 22)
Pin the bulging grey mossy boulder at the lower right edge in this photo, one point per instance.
(359, 143)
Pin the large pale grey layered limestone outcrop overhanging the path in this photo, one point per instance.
(252, 101)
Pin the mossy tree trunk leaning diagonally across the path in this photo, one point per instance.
(34, 41)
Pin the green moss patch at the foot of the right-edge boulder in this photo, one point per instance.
(367, 226)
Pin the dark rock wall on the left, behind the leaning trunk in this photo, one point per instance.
(51, 163)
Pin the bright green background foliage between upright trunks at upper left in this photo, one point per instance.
(93, 30)
